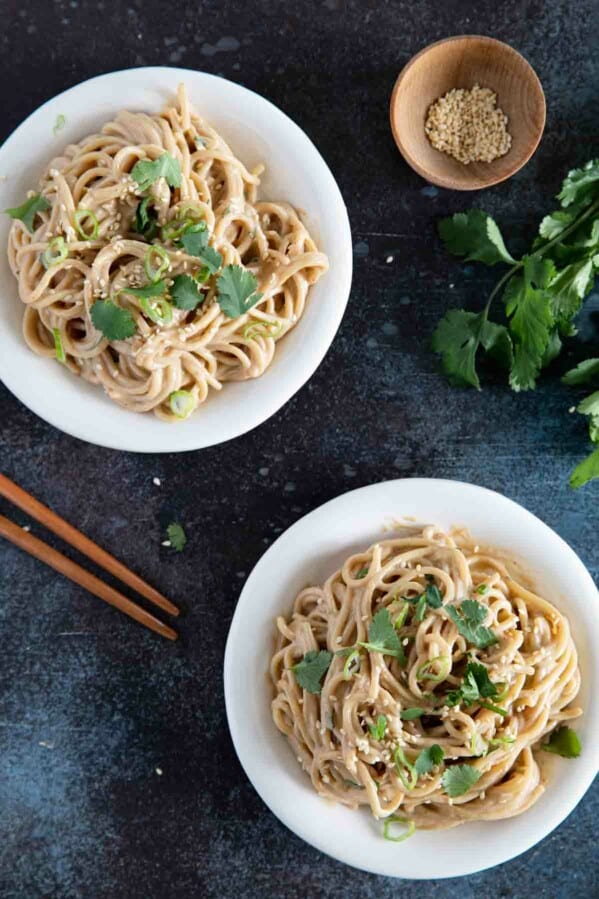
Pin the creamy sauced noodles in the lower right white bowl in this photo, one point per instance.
(533, 664)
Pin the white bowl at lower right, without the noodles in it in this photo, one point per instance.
(311, 550)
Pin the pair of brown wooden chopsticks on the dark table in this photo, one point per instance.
(24, 540)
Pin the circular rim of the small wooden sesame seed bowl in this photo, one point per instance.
(474, 183)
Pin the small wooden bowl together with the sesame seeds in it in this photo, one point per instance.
(475, 99)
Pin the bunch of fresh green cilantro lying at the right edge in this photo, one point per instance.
(542, 292)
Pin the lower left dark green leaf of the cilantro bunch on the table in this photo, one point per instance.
(457, 339)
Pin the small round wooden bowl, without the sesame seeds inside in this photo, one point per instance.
(463, 62)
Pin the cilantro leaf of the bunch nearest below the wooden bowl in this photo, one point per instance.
(476, 236)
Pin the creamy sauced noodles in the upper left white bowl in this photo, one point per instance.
(194, 351)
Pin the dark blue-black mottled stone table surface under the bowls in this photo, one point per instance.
(92, 707)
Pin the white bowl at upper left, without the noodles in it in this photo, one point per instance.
(295, 171)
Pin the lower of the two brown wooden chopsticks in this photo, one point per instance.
(43, 552)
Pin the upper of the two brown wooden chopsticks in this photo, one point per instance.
(62, 528)
